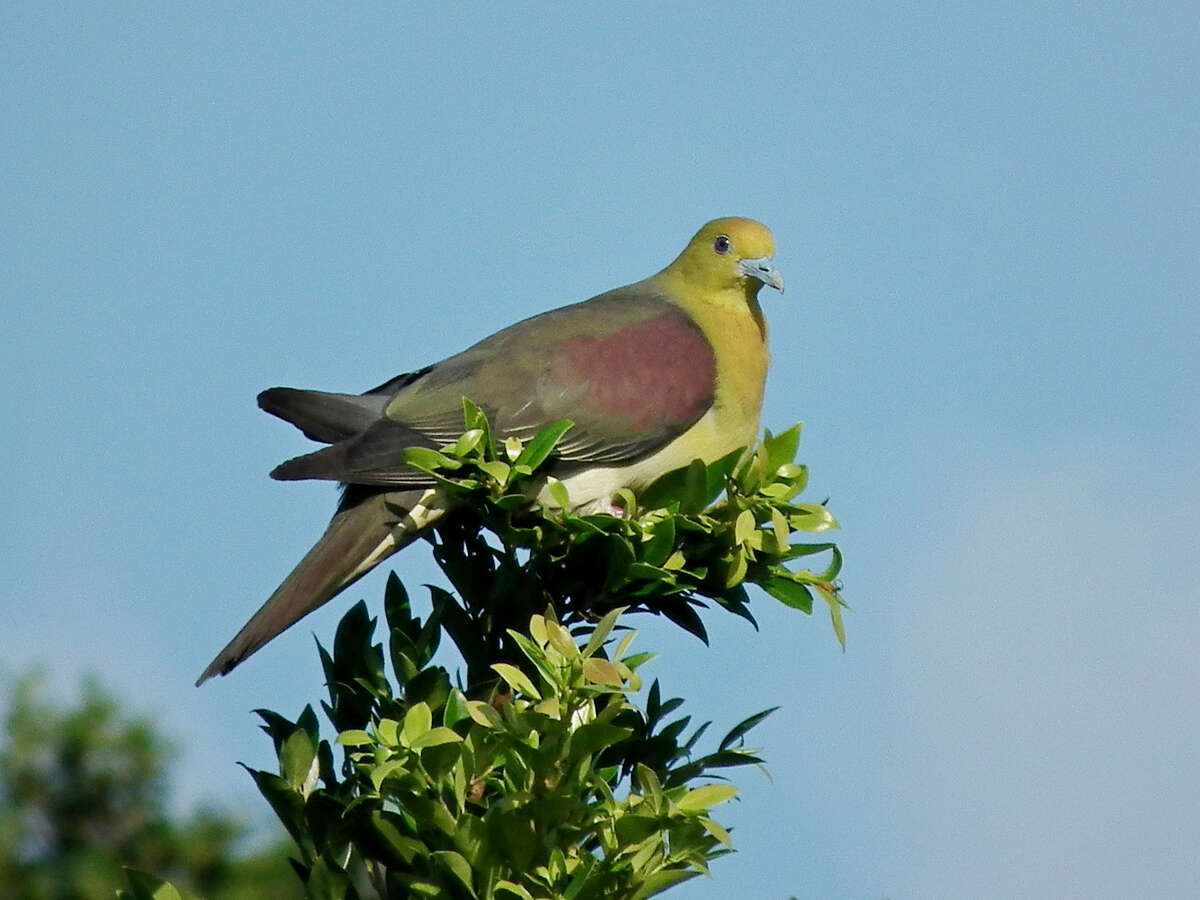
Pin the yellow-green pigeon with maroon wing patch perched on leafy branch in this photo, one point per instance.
(653, 376)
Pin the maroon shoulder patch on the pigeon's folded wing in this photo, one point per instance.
(659, 373)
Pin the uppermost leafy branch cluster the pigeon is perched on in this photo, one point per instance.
(699, 536)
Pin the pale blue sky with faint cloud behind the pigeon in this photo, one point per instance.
(989, 219)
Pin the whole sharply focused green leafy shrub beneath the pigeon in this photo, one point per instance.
(531, 772)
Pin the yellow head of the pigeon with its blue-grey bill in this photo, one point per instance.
(729, 255)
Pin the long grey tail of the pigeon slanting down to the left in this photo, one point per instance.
(357, 541)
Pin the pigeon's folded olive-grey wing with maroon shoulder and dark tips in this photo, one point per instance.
(629, 368)
